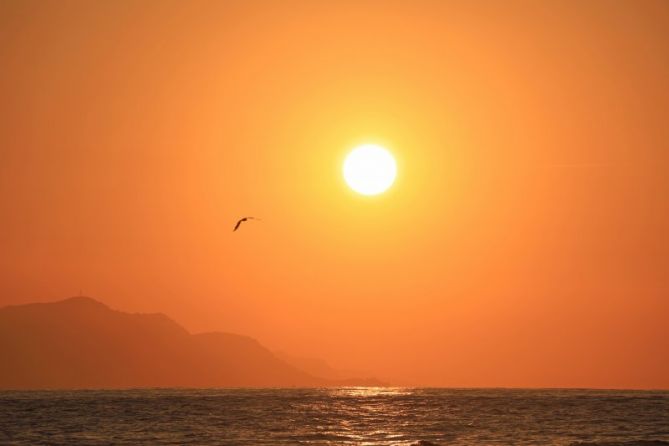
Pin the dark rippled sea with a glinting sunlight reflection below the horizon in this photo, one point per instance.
(345, 416)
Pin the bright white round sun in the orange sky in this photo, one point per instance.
(369, 169)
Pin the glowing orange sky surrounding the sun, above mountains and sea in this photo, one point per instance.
(525, 242)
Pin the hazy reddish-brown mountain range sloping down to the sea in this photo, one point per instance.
(82, 343)
